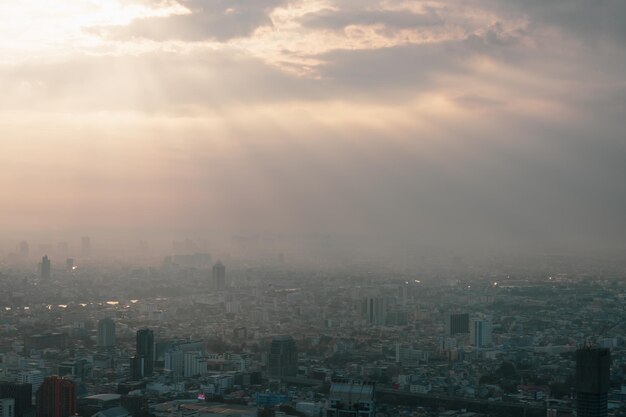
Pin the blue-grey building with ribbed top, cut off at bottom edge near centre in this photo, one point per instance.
(350, 398)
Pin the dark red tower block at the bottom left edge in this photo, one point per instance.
(56, 398)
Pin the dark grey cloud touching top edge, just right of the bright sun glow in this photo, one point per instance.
(209, 19)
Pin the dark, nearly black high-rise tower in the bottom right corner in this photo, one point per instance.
(592, 381)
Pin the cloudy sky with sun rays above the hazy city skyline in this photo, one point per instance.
(457, 123)
